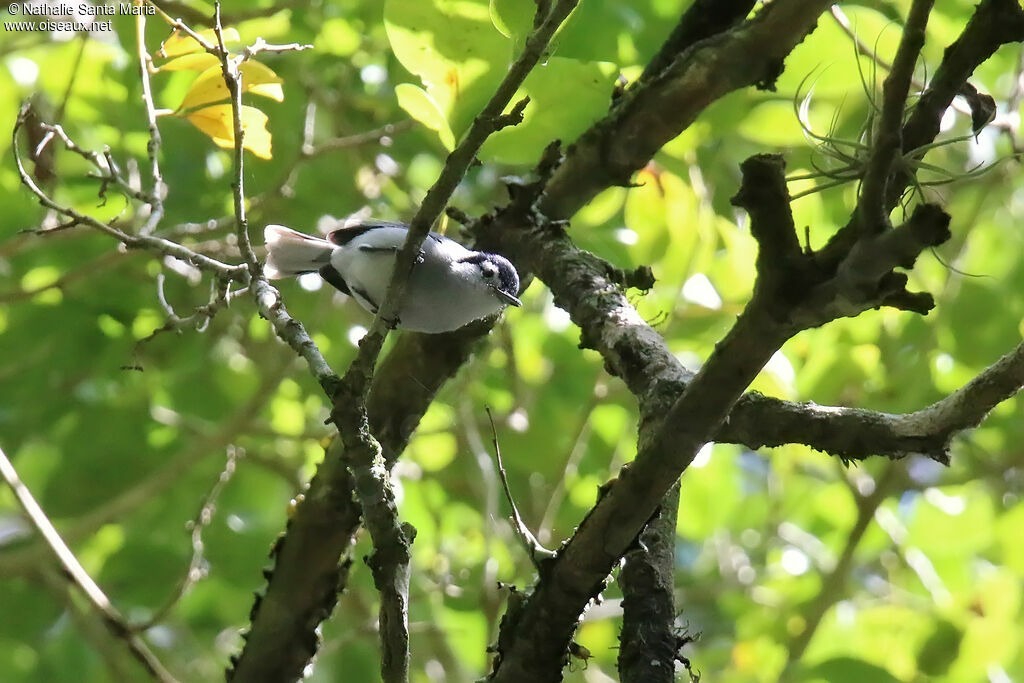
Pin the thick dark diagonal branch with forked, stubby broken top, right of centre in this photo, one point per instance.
(791, 293)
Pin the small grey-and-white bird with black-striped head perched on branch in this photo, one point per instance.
(450, 286)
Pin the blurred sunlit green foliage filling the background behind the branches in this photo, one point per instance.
(122, 459)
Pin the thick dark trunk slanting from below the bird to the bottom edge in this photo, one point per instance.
(312, 560)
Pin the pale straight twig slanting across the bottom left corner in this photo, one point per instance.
(114, 620)
